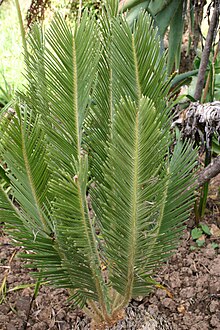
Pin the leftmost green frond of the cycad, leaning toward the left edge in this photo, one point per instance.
(22, 148)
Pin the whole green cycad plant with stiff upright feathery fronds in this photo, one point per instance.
(94, 124)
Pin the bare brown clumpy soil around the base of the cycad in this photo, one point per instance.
(189, 299)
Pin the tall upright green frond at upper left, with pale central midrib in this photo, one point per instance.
(70, 77)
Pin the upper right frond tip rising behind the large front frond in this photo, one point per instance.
(137, 60)
